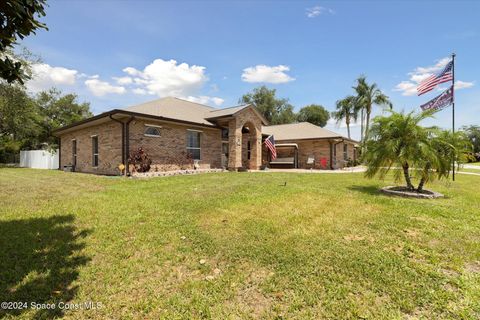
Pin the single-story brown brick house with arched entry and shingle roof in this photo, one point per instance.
(178, 134)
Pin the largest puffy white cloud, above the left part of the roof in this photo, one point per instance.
(167, 78)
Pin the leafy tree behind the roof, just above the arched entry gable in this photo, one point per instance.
(275, 110)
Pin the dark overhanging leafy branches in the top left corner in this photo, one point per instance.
(18, 19)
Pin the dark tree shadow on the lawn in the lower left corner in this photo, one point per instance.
(39, 261)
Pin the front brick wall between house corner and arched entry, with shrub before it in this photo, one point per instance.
(168, 152)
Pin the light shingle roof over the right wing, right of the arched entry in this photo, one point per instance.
(301, 130)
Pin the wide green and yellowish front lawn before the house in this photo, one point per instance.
(237, 245)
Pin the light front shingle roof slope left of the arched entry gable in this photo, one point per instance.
(175, 108)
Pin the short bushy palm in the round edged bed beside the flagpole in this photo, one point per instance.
(398, 140)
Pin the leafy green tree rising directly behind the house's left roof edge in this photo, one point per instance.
(59, 110)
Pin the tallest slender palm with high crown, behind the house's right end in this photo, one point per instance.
(369, 95)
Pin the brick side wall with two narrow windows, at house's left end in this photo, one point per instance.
(109, 148)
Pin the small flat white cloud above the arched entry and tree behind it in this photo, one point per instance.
(267, 74)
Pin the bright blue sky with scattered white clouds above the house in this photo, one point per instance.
(118, 53)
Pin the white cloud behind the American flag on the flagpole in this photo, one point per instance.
(409, 87)
